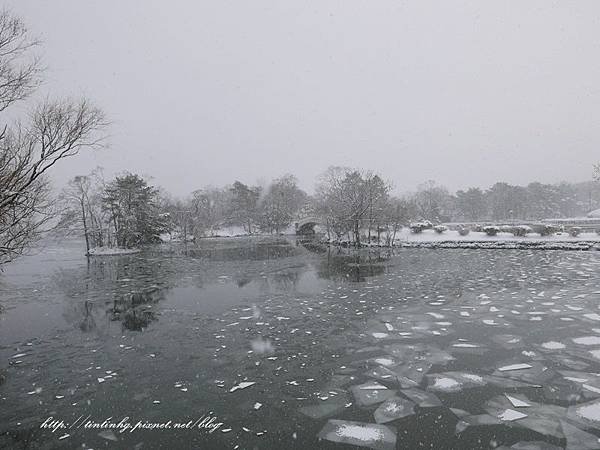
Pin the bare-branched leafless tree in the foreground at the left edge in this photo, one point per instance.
(53, 131)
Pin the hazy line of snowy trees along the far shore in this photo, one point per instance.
(127, 212)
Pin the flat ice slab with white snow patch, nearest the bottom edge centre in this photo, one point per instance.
(380, 437)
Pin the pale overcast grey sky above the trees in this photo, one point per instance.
(463, 92)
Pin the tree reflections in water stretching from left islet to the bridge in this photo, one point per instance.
(130, 284)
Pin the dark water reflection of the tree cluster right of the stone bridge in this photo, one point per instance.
(352, 265)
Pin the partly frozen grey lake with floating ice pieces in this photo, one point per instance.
(296, 346)
